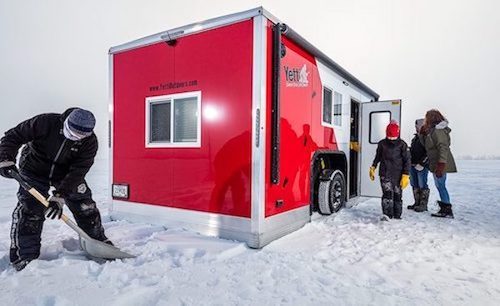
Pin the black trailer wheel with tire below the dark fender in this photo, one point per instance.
(331, 192)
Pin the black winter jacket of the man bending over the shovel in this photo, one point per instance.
(48, 155)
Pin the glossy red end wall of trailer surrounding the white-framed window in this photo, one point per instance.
(213, 178)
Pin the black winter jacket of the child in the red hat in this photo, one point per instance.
(394, 159)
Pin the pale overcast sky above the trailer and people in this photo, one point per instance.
(440, 54)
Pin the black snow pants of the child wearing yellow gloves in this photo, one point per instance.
(392, 203)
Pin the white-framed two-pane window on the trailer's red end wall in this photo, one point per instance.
(173, 120)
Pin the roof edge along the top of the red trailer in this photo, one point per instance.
(237, 17)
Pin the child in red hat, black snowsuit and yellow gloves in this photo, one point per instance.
(394, 158)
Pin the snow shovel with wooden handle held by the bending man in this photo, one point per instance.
(93, 247)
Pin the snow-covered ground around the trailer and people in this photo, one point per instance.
(346, 259)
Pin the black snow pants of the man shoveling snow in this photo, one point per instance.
(29, 215)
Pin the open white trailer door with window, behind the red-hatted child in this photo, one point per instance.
(375, 116)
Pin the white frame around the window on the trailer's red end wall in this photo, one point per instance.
(171, 98)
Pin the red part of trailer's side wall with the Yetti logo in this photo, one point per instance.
(301, 132)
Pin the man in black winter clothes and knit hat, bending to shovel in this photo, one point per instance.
(59, 151)
